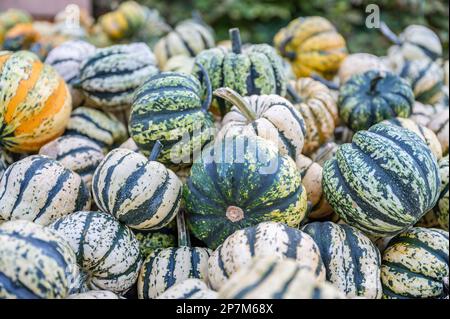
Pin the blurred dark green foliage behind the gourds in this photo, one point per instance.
(259, 20)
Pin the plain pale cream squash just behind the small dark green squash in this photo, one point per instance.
(359, 63)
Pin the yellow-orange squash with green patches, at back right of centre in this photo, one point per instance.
(313, 46)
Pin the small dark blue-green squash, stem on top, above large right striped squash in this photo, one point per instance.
(369, 98)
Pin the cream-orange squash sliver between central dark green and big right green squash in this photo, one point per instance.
(311, 173)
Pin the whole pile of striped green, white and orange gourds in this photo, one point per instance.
(138, 164)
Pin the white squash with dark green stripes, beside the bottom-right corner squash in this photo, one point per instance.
(351, 260)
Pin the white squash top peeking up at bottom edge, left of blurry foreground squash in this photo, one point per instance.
(189, 289)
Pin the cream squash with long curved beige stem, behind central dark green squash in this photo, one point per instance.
(271, 117)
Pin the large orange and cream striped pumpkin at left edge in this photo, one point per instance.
(35, 102)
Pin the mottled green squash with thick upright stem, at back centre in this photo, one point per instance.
(255, 70)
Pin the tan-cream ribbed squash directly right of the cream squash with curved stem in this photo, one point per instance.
(318, 107)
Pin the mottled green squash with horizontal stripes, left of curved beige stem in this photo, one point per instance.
(168, 108)
